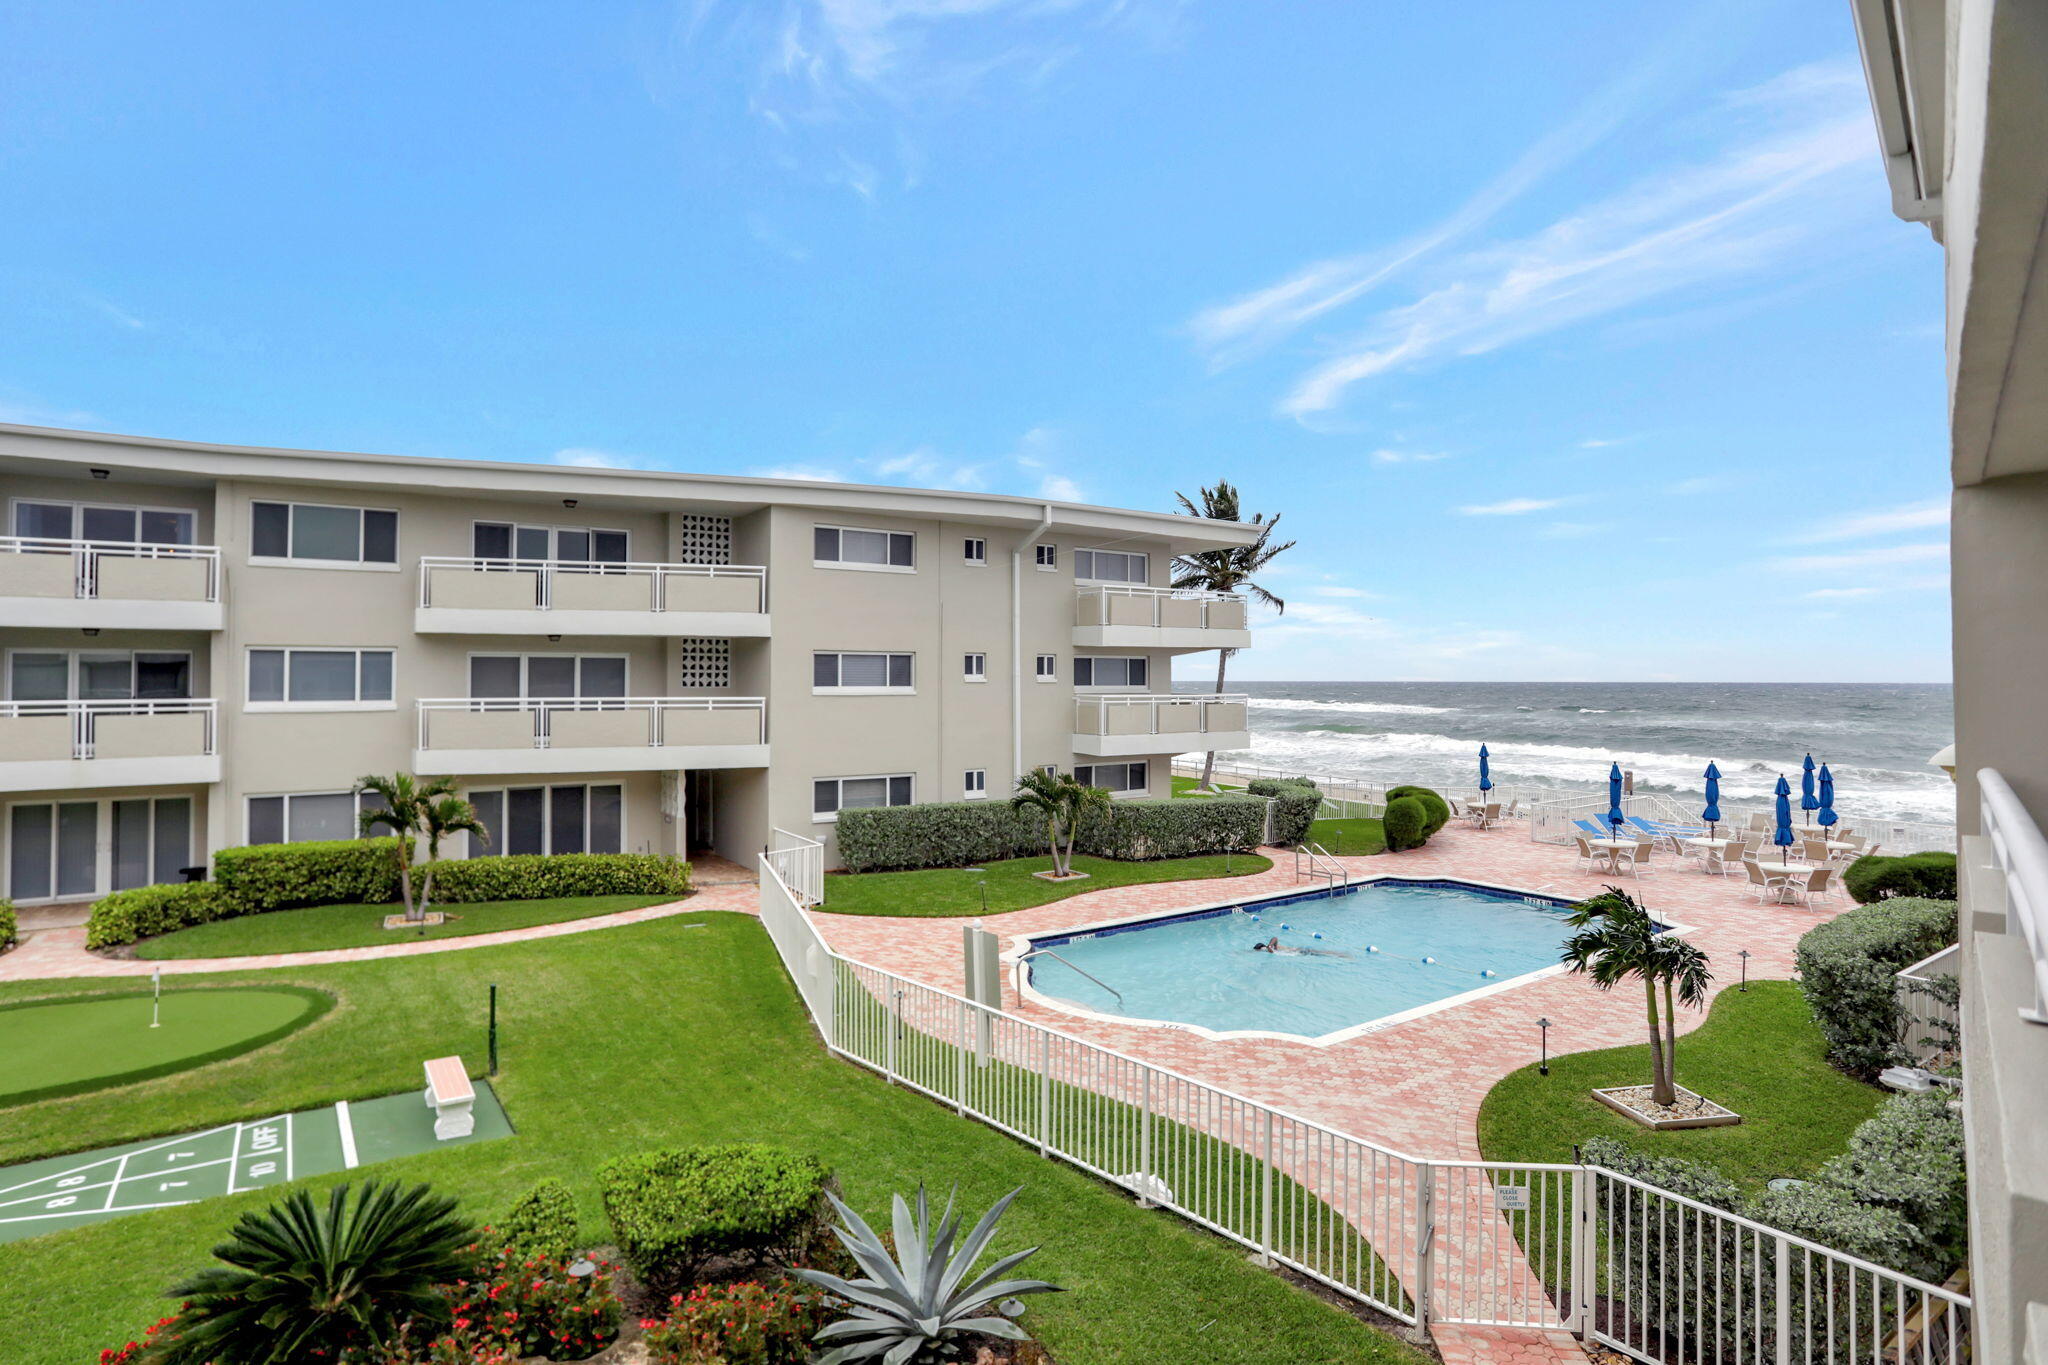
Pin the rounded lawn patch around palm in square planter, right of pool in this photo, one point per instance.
(1758, 1055)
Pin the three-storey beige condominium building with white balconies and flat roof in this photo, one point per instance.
(210, 646)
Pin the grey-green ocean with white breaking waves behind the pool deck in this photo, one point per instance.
(1877, 738)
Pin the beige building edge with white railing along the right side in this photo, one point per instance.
(1961, 97)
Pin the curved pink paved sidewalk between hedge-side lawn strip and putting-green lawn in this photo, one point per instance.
(52, 955)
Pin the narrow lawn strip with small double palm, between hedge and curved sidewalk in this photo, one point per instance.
(355, 926)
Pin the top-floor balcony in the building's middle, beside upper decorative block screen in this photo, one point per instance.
(548, 597)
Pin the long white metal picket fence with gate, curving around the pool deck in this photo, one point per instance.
(1521, 1245)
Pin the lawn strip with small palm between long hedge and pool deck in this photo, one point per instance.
(1013, 887)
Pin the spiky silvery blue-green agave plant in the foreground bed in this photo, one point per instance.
(923, 1301)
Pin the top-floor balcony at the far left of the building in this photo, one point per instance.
(110, 584)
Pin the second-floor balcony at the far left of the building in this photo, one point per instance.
(77, 746)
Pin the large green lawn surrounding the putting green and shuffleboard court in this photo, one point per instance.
(624, 1041)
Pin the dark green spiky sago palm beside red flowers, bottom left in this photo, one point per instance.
(304, 1286)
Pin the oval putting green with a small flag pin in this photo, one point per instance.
(99, 1041)
